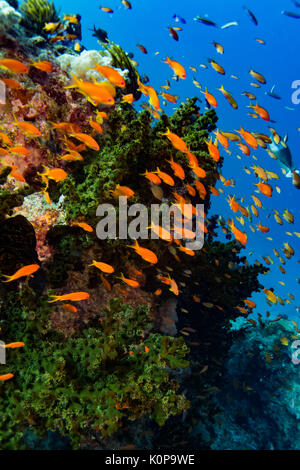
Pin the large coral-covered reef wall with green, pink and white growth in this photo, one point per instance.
(122, 355)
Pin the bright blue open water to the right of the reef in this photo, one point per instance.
(147, 24)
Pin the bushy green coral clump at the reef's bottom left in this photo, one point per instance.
(92, 383)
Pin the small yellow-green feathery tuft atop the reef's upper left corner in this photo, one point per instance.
(36, 13)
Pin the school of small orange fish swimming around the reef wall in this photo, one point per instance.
(104, 93)
